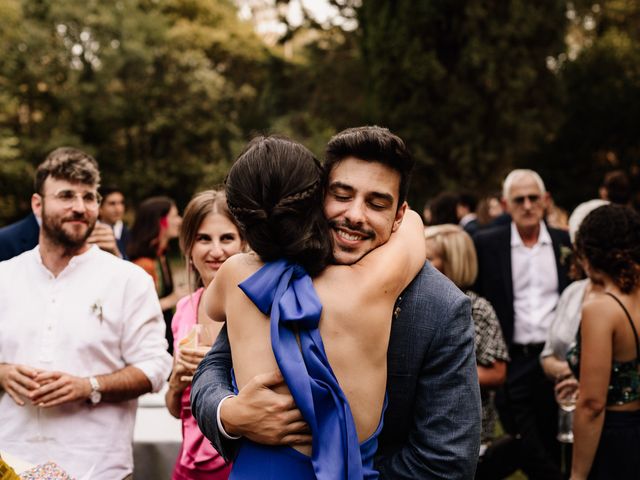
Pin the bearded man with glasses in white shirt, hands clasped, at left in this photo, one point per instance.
(81, 334)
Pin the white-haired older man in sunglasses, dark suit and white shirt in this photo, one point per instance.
(522, 272)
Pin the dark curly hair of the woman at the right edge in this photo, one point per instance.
(609, 238)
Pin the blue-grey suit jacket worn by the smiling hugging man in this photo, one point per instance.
(432, 422)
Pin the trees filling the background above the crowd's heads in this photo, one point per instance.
(166, 92)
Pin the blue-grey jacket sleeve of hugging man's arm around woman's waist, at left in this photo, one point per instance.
(211, 383)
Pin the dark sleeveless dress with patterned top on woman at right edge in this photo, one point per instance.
(617, 453)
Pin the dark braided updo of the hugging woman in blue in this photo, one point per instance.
(275, 192)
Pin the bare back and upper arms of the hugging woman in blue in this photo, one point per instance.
(355, 324)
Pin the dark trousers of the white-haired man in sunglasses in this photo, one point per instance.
(528, 410)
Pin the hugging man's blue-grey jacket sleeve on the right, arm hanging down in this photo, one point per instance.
(445, 438)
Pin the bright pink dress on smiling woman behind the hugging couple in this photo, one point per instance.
(197, 460)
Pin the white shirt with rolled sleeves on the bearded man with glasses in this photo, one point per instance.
(98, 316)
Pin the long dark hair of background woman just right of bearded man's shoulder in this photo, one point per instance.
(144, 240)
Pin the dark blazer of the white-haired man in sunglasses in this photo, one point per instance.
(495, 281)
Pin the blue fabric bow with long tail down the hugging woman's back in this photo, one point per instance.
(285, 291)
